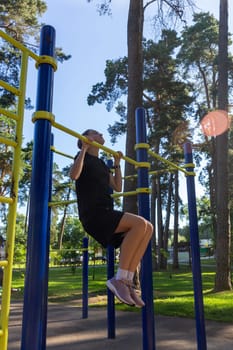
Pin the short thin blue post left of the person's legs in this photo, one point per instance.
(85, 278)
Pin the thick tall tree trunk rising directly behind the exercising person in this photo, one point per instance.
(135, 89)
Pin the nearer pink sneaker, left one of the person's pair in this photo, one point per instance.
(120, 290)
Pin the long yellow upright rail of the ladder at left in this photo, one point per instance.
(10, 236)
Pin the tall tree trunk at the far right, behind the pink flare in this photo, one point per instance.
(223, 275)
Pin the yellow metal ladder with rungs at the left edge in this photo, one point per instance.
(7, 264)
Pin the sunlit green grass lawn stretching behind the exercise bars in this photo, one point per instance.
(173, 291)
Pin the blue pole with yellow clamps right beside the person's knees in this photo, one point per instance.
(144, 210)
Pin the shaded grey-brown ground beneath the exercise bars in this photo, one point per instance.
(68, 331)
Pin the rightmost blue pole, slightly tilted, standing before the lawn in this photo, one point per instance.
(195, 251)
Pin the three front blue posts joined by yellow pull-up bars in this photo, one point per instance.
(34, 325)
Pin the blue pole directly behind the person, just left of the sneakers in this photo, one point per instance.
(110, 296)
